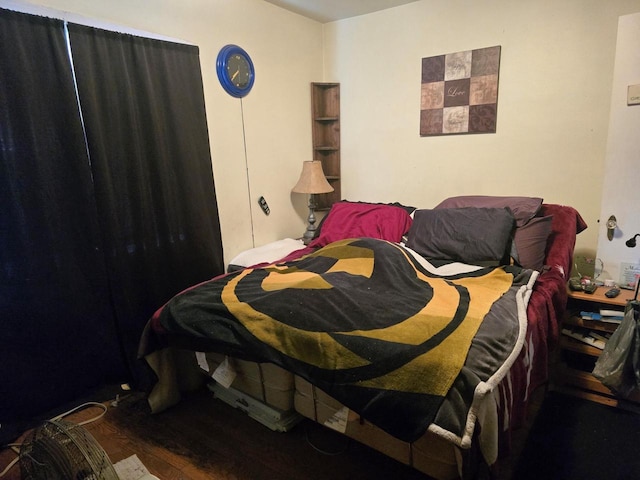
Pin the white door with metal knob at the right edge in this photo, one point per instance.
(622, 175)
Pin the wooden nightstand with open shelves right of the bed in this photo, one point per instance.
(576, 357)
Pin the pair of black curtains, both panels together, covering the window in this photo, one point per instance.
(104, 214)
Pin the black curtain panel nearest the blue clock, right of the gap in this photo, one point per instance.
(143, 107)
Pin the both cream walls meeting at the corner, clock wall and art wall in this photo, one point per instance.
(553, 108)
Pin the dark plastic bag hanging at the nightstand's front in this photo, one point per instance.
(618, 367)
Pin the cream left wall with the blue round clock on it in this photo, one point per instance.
(272, 123)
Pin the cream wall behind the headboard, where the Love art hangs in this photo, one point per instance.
(553, 104)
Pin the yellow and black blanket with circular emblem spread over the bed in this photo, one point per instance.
(362, 320)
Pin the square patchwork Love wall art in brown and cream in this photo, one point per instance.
(459, 92)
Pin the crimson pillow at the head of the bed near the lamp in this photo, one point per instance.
(355, 219)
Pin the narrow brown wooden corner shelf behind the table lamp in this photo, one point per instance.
(325, 132)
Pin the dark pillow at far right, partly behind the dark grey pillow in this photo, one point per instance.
(531, 242)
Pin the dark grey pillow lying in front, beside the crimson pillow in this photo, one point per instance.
(479, 236)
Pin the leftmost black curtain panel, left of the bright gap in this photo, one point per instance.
(57, 324)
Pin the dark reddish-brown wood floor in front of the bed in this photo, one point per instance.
(203, 439)
